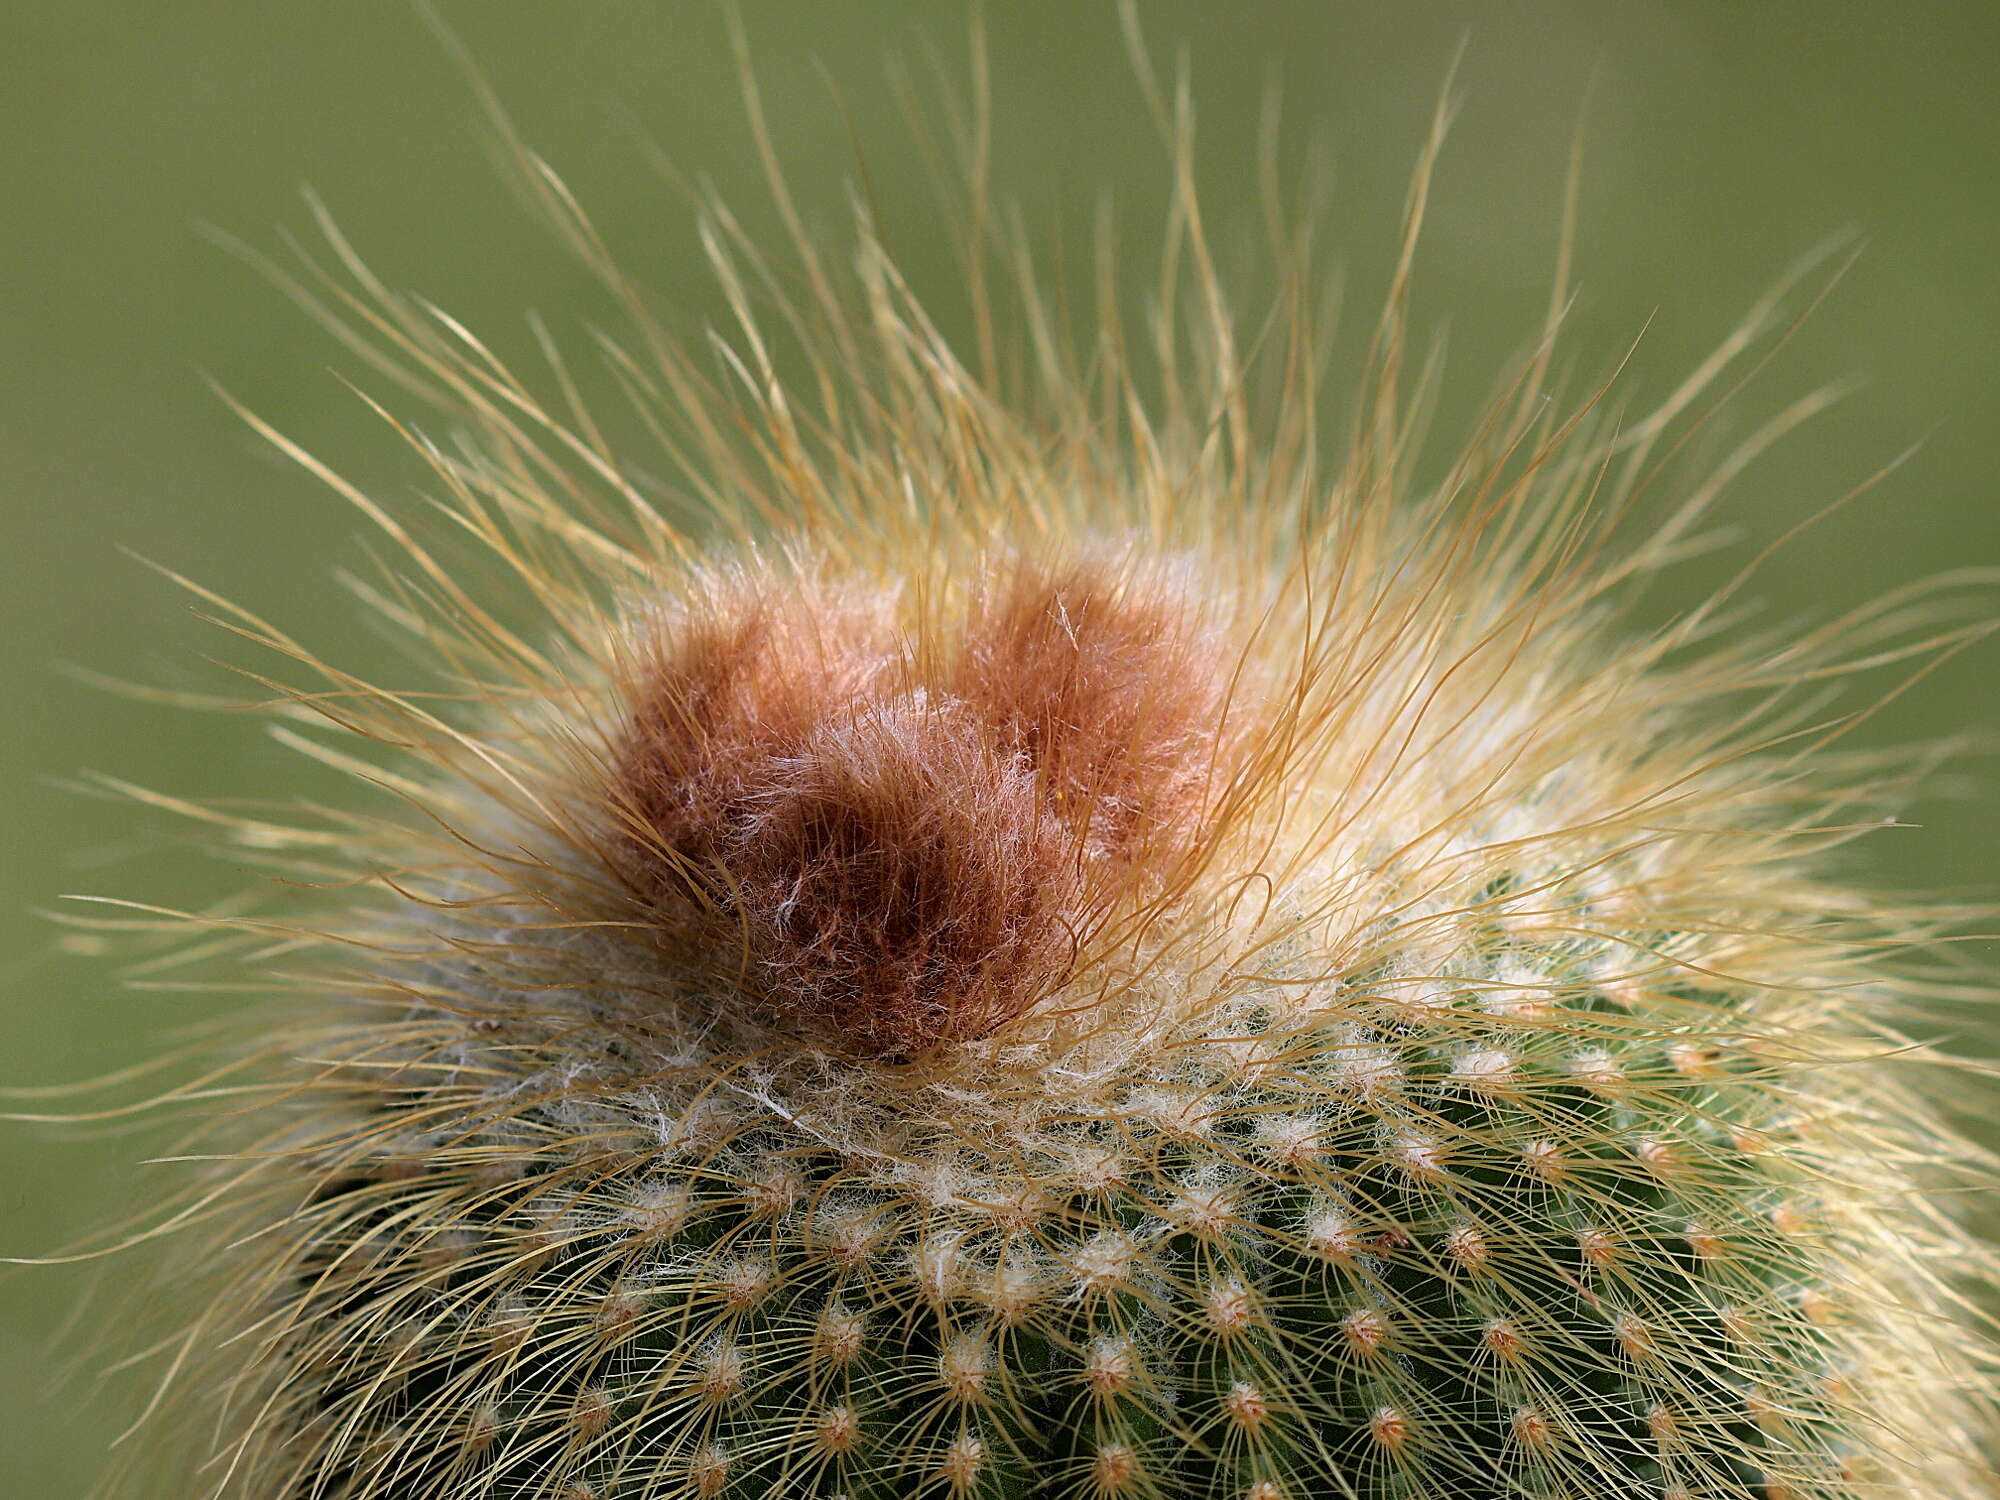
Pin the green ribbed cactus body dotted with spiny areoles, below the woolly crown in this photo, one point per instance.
(1443, 1237)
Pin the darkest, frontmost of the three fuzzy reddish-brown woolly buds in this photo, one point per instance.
(901, 883)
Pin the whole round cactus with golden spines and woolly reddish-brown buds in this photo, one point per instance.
(1037, 935)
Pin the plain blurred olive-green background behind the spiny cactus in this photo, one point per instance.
(1725, 141)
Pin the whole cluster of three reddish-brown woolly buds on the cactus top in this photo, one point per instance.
(907, 829)
